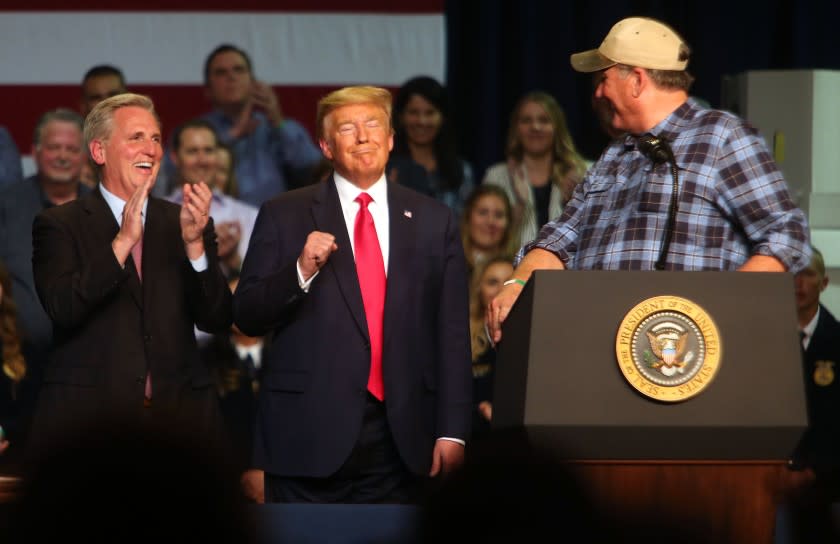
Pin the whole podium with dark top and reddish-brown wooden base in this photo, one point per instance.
(717, 458)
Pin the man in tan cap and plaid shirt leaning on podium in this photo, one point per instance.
(687, 188)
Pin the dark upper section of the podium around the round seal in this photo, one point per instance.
(557, 372)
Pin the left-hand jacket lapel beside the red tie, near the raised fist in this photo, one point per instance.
(328, 216)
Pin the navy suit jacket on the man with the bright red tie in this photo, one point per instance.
(314, 384)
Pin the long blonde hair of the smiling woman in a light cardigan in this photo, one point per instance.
(568, 166)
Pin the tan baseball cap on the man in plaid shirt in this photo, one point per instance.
(636, 41)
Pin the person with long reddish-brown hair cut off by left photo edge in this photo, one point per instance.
(18, 381)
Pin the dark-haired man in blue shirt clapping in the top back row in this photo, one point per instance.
(273, 152)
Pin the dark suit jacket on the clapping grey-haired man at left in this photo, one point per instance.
(109, 329)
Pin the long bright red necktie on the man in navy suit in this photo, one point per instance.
(371, 271)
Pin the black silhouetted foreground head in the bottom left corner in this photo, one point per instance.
(132, 482)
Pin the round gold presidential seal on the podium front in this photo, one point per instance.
(668, 348)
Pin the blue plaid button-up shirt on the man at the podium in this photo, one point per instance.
(733, 203)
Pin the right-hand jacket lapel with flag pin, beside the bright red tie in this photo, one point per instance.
(401, 253)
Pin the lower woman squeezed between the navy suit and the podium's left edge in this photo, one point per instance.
(486, 284)
